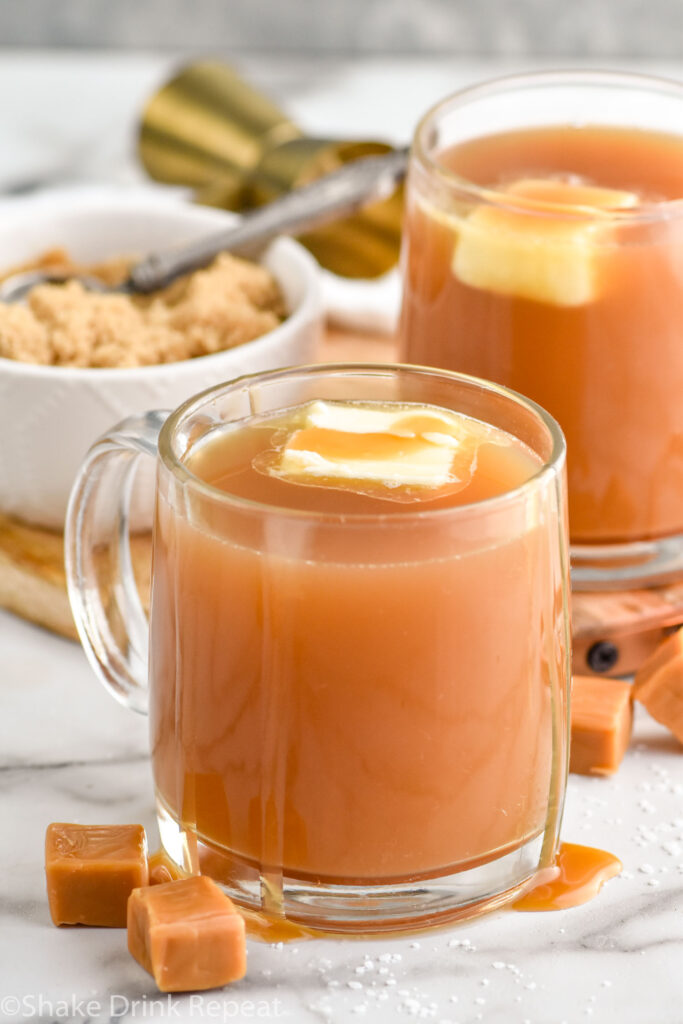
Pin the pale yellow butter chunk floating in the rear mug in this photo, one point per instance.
(548, 250)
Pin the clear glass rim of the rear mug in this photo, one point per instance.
(646, 214)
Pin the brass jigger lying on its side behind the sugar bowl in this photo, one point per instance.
(209, 130)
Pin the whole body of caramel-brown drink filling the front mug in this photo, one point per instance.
(358, 700)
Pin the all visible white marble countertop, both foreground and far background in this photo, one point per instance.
(68, 752)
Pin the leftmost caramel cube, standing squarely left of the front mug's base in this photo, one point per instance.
(92, 872)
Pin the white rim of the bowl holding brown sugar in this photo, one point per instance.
(92, 202)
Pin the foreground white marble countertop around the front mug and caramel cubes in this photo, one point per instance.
(70, 753)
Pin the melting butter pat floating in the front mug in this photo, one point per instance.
(394, 446)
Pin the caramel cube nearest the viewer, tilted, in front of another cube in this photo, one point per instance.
(188, 935)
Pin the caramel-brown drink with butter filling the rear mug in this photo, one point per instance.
(569, 289)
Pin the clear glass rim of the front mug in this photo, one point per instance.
(549, 468)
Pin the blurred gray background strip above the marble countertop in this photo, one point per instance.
(497, 28)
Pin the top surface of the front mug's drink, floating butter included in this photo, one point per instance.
(367, 459)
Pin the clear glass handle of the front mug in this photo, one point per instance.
(107, 609)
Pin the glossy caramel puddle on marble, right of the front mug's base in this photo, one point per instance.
(579, 876)
